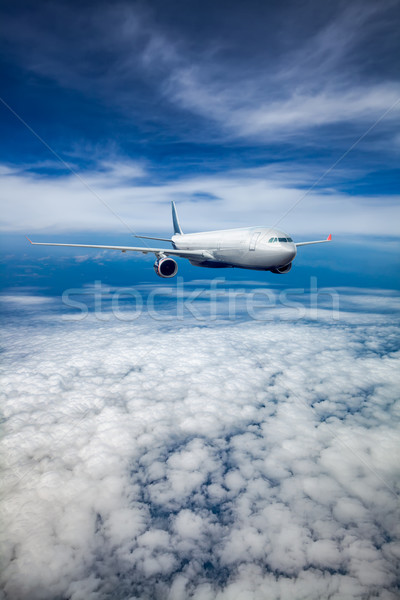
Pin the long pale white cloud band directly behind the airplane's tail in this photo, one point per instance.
(38, 204)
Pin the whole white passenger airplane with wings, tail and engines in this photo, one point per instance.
(257, 248)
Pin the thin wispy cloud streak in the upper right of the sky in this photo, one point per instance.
(319, 83)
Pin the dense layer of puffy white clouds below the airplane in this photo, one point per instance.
(150, 461)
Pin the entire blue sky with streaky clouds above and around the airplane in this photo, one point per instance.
(234, 110)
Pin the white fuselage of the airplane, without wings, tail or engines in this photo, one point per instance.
(260, 248)
